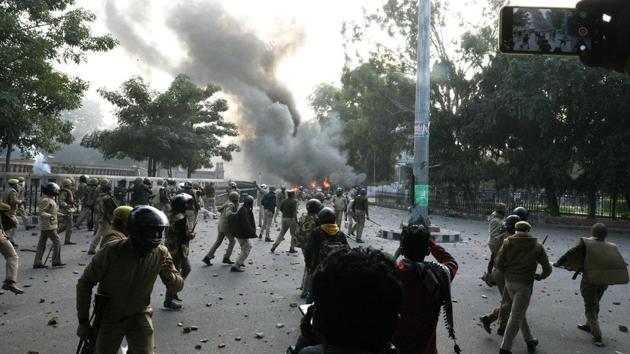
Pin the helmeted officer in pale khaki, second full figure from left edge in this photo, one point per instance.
(48, 212)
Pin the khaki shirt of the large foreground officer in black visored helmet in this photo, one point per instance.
(126, 279)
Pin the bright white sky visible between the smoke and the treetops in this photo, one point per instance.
(319, 60)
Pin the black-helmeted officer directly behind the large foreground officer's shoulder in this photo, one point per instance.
(178, 239)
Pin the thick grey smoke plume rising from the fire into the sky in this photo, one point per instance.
(224, 51)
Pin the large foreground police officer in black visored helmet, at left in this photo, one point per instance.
(125, 272)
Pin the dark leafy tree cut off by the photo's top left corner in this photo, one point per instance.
(34, 35)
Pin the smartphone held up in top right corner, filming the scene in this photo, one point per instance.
(543, 31)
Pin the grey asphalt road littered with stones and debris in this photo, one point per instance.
(230, 308)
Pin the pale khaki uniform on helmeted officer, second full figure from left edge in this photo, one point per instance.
(47, 212)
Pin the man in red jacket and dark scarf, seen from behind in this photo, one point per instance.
(426, 289)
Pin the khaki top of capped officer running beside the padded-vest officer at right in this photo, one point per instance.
(519, 256)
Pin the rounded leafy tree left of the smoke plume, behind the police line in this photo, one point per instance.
(180, 127)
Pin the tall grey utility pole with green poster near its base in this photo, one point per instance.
(421, 126)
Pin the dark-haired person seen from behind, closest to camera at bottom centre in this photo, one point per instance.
(357, 298)
